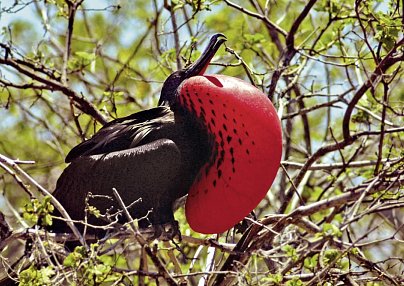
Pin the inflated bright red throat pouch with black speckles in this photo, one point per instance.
(247, 150)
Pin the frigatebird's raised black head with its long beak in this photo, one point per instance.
(169, 91)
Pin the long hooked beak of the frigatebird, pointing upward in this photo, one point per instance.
(201, 64)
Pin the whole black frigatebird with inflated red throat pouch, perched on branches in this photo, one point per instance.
(214, 138)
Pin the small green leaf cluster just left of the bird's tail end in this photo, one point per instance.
(39, 212)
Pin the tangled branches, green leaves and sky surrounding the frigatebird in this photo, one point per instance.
(333, 69)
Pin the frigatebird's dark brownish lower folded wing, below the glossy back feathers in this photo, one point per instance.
(149, 172)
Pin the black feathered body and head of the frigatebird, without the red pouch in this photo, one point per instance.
(151, 158)
